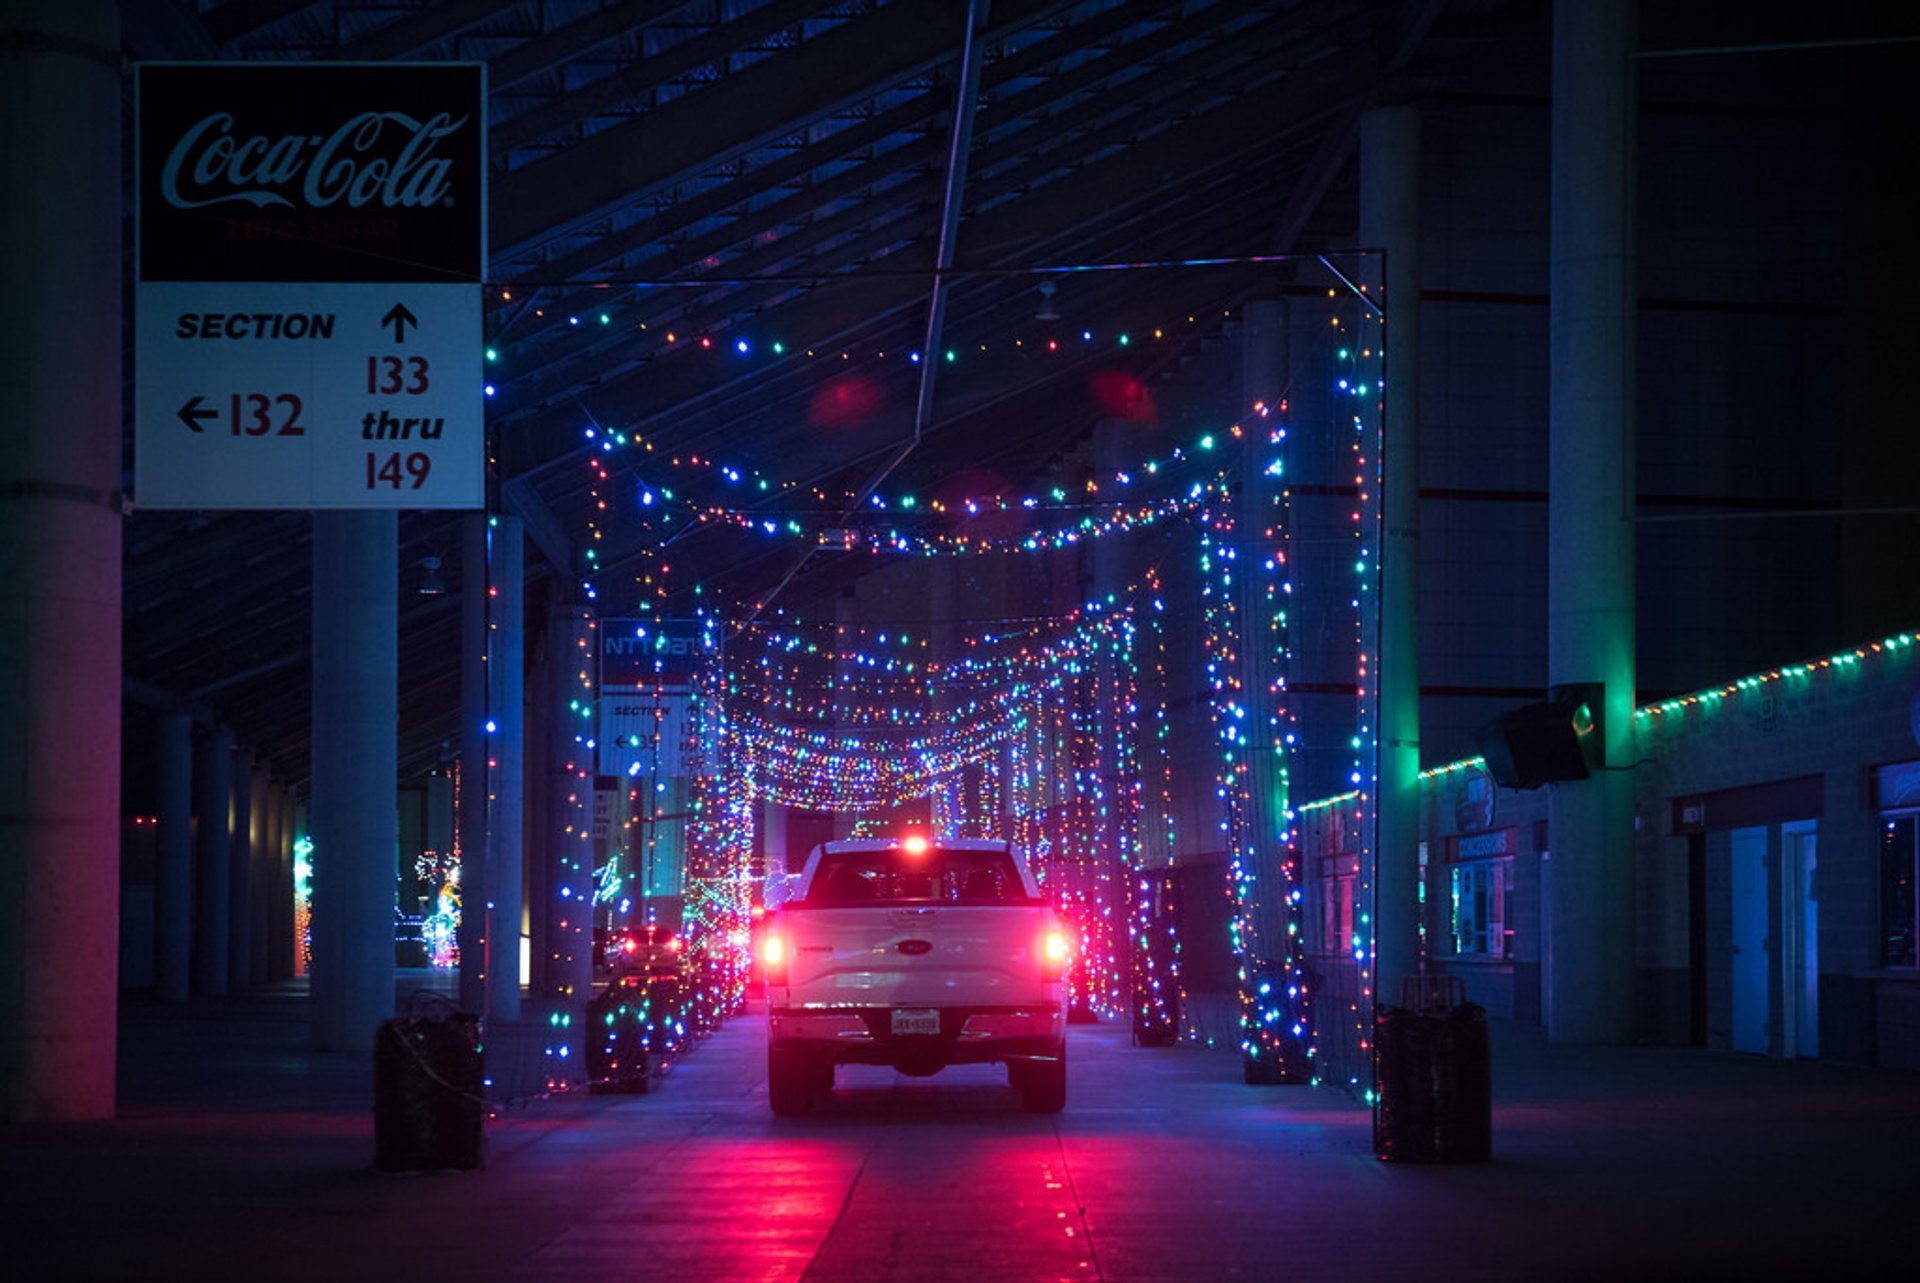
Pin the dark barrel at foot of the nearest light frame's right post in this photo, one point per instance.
(1433, 1084)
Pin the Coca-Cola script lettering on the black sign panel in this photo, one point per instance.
(379, 158)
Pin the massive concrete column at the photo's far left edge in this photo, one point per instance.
(60, 583)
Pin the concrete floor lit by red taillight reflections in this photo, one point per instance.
(239, 1155)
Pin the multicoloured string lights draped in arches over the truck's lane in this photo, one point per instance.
(1034, 735)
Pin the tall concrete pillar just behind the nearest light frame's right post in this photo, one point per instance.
(1389, 220)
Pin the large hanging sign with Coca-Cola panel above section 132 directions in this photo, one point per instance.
(310, 249)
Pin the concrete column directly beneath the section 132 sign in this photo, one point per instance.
(356, 702)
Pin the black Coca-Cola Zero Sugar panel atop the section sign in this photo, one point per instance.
(312, 172)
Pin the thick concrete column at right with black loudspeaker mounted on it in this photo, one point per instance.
(1589, 894)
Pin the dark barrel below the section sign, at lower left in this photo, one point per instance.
(429, 1096)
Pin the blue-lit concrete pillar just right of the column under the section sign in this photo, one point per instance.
(492, 694)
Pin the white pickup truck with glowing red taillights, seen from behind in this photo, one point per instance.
(917, 954)
